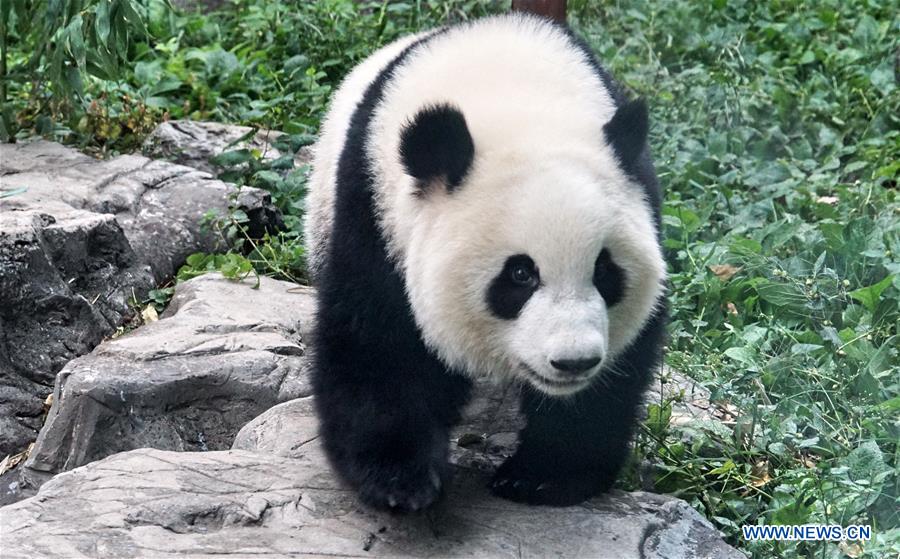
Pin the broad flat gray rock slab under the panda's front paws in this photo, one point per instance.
(151, 503)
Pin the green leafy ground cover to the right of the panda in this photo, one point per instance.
(776, 132)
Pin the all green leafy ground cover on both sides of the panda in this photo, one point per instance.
(776, 133)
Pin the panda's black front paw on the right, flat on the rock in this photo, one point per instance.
(516, 482)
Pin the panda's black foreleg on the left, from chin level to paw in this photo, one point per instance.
(385, 424)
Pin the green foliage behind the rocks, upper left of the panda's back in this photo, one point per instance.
(269, 64)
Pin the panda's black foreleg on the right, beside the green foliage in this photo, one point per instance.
(573, 448)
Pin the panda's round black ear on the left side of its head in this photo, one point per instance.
(436, 144)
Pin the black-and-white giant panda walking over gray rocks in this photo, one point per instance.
(483, 205)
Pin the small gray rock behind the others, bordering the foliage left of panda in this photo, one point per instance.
(195, 143)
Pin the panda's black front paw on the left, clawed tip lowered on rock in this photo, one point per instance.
(402, 488)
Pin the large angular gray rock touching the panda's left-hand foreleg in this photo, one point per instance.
(220, 355)
